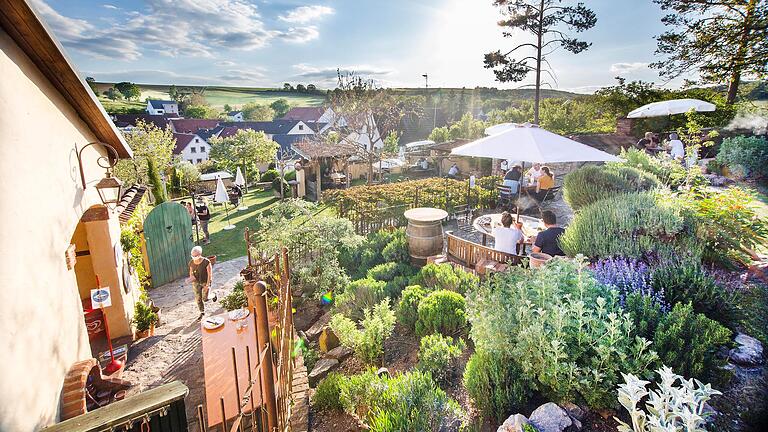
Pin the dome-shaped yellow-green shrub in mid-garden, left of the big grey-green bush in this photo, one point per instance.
(441, 311)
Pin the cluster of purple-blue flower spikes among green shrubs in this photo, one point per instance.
(628, 276)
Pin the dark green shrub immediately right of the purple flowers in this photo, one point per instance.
(688, 282)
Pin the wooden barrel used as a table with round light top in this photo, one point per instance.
(424, 233)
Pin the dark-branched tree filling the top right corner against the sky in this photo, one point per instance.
(723, 40)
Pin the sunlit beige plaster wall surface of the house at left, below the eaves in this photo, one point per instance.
(41, 202)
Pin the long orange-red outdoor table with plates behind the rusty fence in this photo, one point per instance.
(218, 368)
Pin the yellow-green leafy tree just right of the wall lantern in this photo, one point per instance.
(148, 142)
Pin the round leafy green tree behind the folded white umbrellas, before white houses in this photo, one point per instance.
(246, 148)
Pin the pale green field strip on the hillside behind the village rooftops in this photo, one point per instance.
(215, 96)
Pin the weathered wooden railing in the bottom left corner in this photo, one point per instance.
(159, 409)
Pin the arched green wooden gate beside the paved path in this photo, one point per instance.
(168, 234)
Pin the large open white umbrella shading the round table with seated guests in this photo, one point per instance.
(530, 143)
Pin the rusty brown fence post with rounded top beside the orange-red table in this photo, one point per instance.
(262, 339)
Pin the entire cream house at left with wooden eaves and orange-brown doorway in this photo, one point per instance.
(60, 228)
